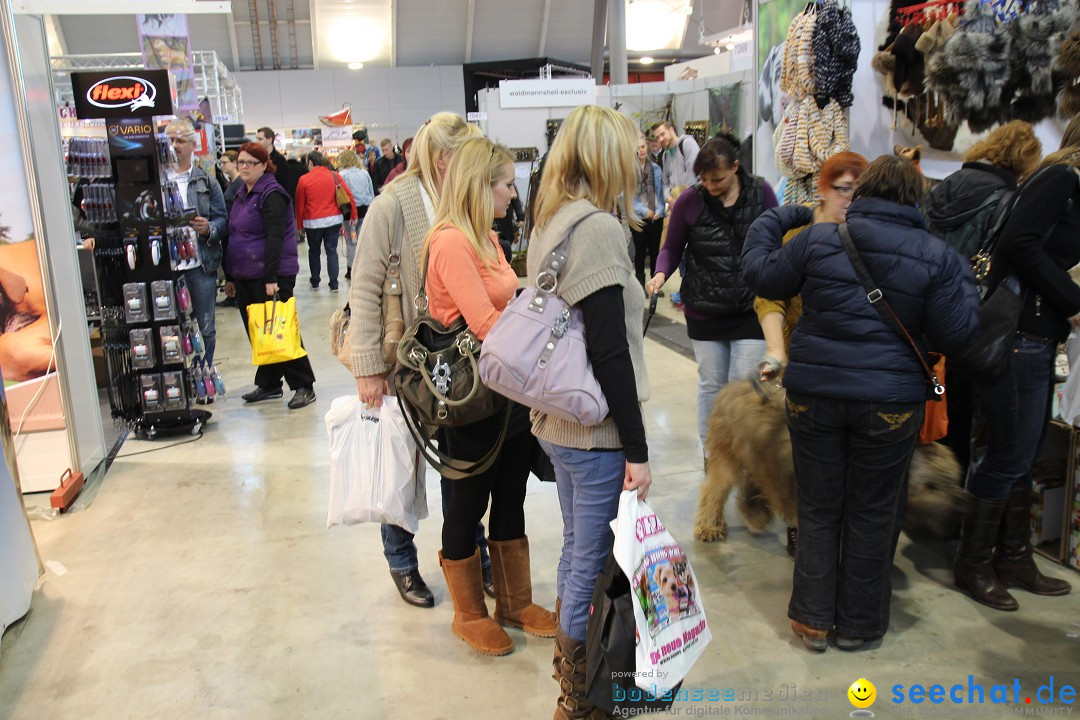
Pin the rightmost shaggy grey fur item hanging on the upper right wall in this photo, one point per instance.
(1036, 39)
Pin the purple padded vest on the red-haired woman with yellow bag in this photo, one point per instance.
(247, 255)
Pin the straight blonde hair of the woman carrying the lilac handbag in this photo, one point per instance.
(595, 158)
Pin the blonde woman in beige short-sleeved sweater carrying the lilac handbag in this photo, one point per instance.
(590, 166)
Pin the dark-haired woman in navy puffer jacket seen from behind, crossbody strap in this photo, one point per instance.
(856, 390)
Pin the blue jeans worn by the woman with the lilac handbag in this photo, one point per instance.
(589, 485)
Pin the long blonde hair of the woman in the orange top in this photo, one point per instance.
(467, 202)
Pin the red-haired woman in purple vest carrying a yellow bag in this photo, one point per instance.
(263, 263)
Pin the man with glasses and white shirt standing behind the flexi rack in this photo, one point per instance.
(202, 195)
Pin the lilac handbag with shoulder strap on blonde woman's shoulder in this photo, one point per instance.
(536, 352)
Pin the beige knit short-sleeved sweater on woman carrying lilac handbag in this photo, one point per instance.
(597, 260)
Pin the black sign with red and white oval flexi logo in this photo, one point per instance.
(138, 94)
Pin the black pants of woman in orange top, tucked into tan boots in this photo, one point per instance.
(504, 483)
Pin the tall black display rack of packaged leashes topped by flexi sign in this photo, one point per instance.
(153, 345)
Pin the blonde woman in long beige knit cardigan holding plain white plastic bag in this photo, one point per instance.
(397, 224)
